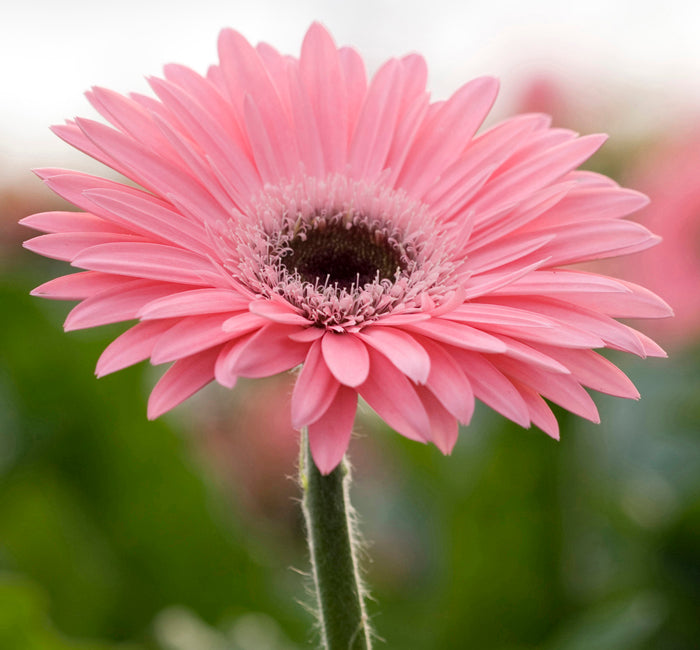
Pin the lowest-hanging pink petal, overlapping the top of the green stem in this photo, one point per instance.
(329, 436)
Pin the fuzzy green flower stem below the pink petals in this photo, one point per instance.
(332, 546)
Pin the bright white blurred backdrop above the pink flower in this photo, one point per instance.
(51, 52)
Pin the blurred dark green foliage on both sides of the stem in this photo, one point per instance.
(115, 533)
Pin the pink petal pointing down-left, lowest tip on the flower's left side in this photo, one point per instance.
(184, 378)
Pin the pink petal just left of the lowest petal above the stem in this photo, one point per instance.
(314, 390)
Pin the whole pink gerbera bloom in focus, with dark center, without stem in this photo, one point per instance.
(294, 214)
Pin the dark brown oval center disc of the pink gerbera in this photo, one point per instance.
(343, 256)
